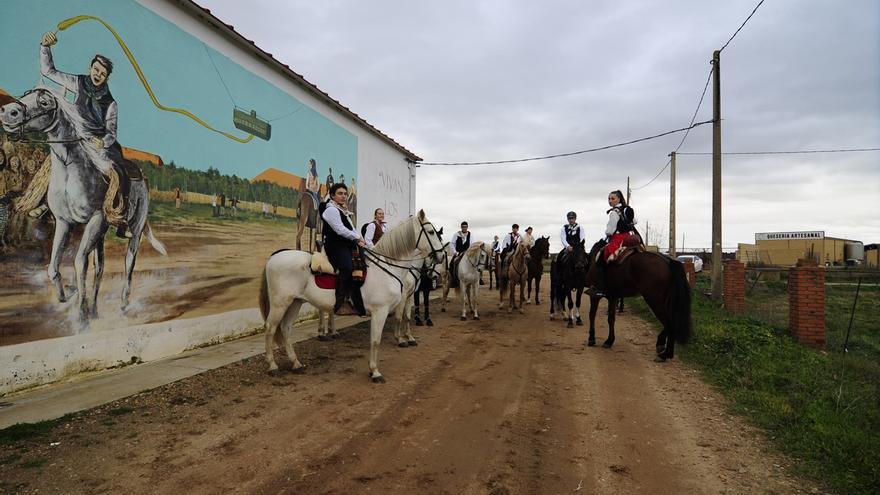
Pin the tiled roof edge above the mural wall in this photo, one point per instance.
(235, 36)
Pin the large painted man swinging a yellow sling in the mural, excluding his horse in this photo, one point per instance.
(98, 109)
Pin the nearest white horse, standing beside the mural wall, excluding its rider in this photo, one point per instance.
(288, 282)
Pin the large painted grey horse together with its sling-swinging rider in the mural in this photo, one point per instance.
(82, 139)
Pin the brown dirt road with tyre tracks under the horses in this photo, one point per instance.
(512, 404)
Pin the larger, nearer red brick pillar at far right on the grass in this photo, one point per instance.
(806, 304)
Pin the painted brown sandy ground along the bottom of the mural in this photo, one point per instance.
(211, 267)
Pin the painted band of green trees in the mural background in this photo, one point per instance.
(211, 181)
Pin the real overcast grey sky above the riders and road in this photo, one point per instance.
(467, 80)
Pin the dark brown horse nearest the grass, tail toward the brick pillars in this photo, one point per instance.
(661, 281)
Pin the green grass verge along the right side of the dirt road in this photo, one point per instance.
(820, 407)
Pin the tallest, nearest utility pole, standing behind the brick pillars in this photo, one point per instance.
(716, 176)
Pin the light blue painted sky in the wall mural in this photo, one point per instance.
(179, 68)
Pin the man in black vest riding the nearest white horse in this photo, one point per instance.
(340, 241)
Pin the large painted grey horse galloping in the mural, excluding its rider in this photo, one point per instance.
(76, 193)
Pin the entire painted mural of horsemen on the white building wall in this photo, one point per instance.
(144, 176)
